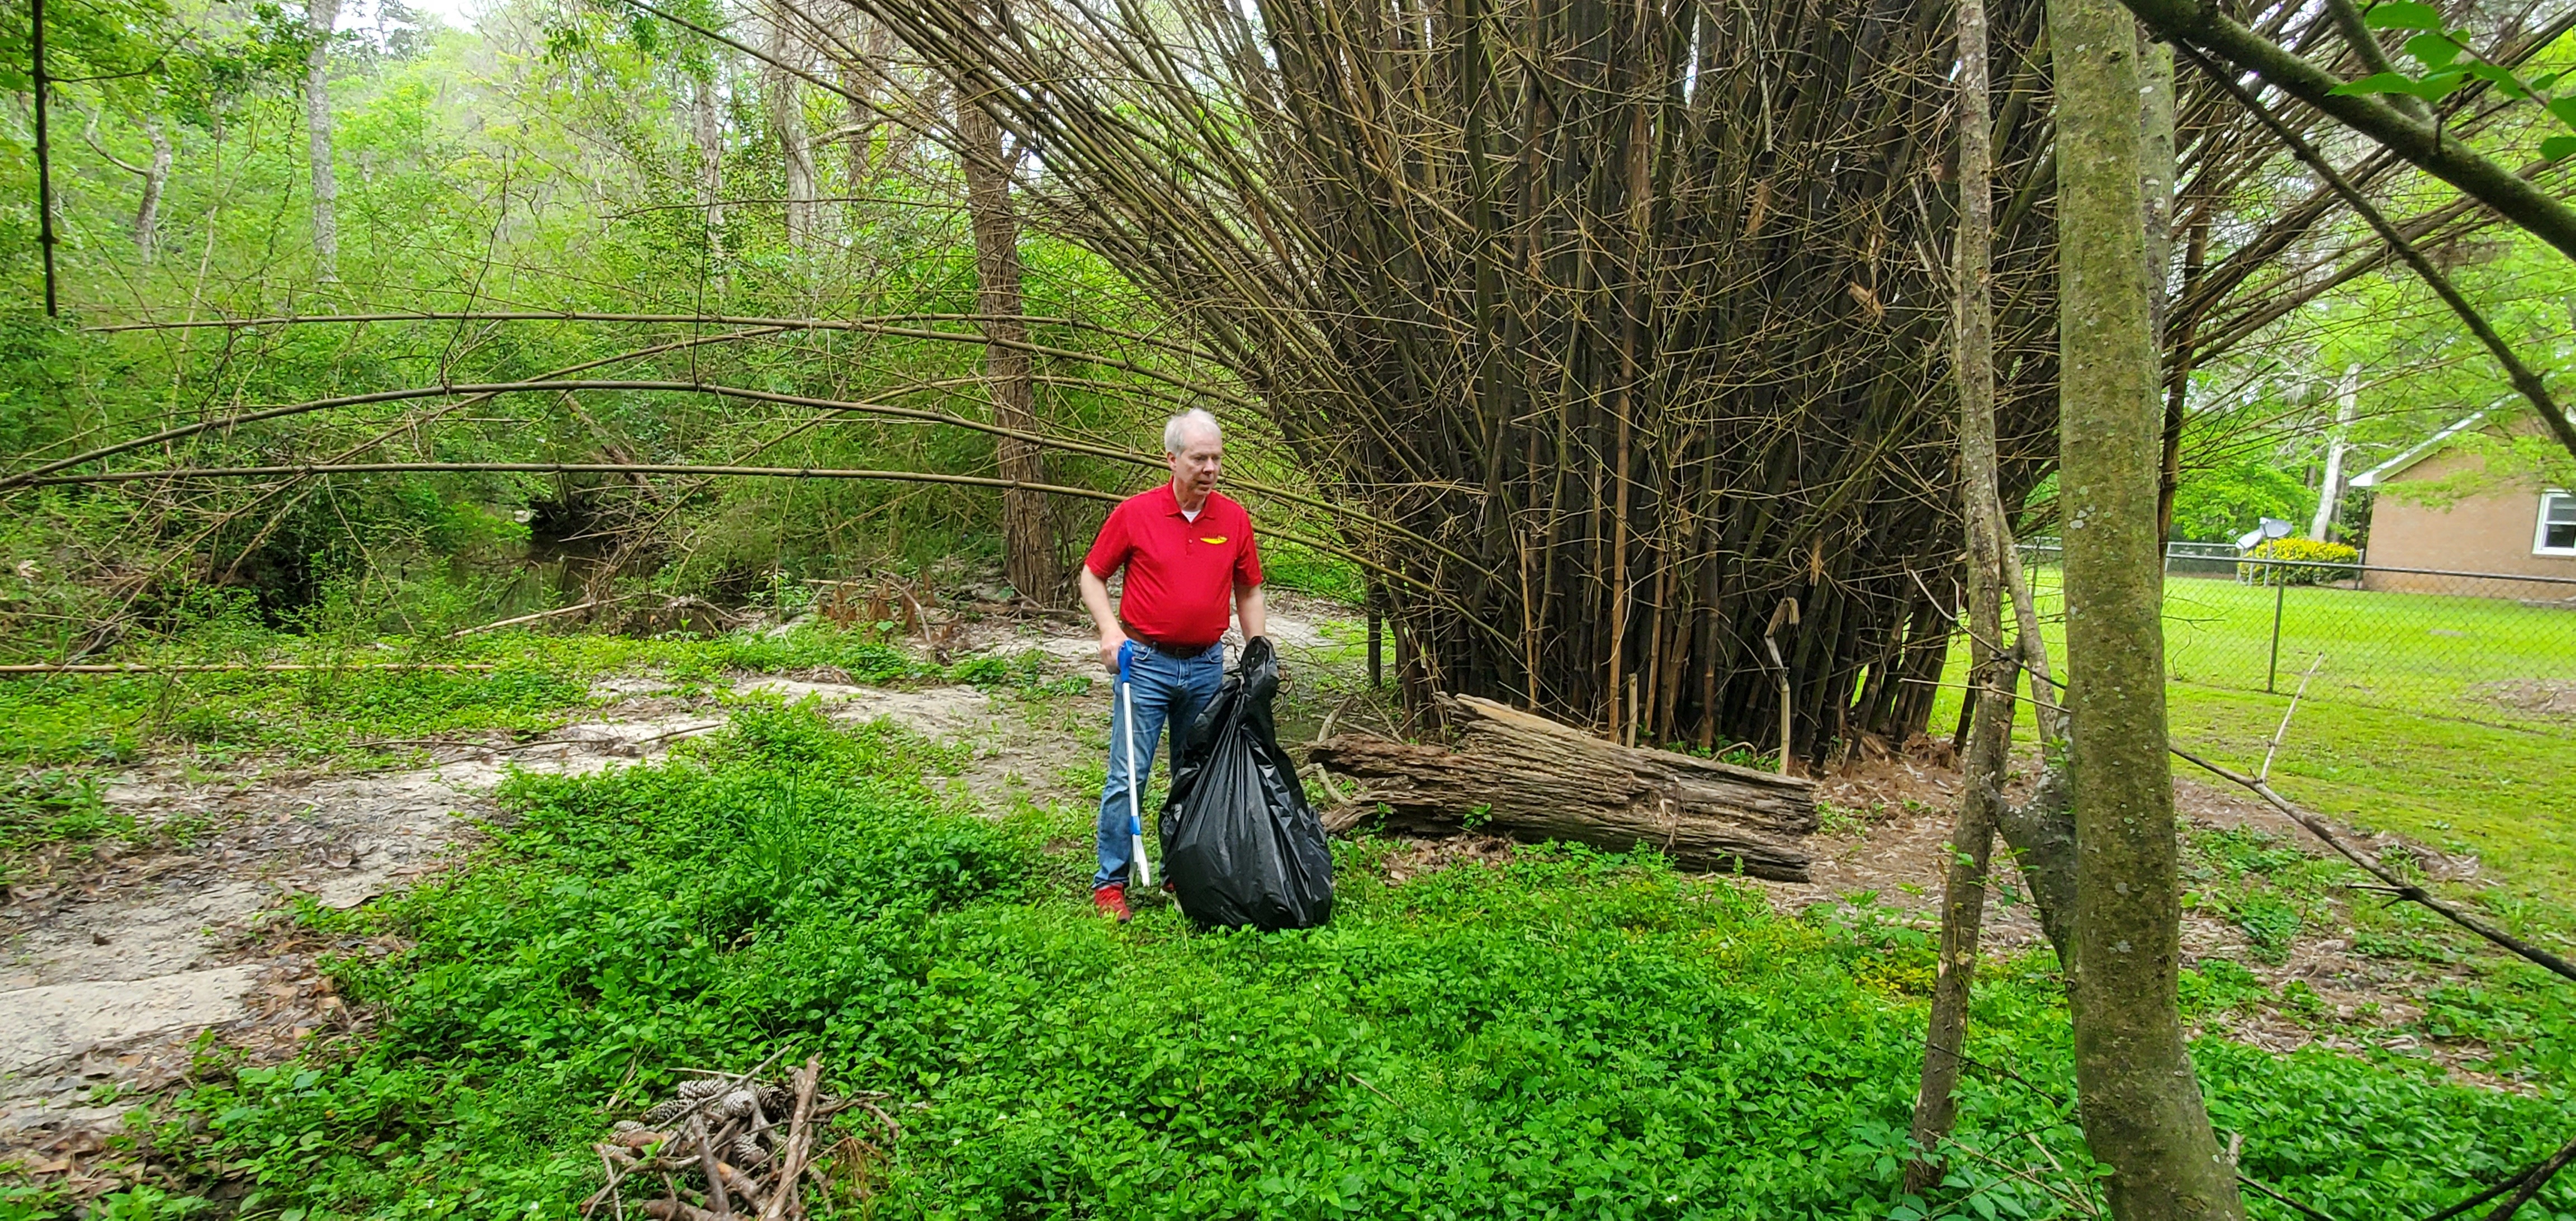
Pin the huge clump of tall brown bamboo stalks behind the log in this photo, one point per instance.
(1619, 331)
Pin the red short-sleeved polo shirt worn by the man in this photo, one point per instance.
(1181, 573)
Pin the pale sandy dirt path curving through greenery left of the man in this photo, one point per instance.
(122, 967)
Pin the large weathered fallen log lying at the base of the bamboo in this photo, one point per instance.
(1534, 779)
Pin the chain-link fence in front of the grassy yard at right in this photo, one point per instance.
(2474, 645)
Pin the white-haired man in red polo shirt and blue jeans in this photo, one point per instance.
(1184, 550)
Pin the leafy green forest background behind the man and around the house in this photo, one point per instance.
(604, 161)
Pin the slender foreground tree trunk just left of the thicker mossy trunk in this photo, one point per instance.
(1990, 710)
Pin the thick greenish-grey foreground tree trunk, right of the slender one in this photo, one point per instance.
(2142, 1101)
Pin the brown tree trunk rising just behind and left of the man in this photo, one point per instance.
(1029, 547)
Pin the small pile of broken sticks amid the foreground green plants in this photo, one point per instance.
(725, 1148)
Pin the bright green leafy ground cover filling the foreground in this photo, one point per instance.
(1562, 1037)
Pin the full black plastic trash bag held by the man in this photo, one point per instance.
(1240, 844)
